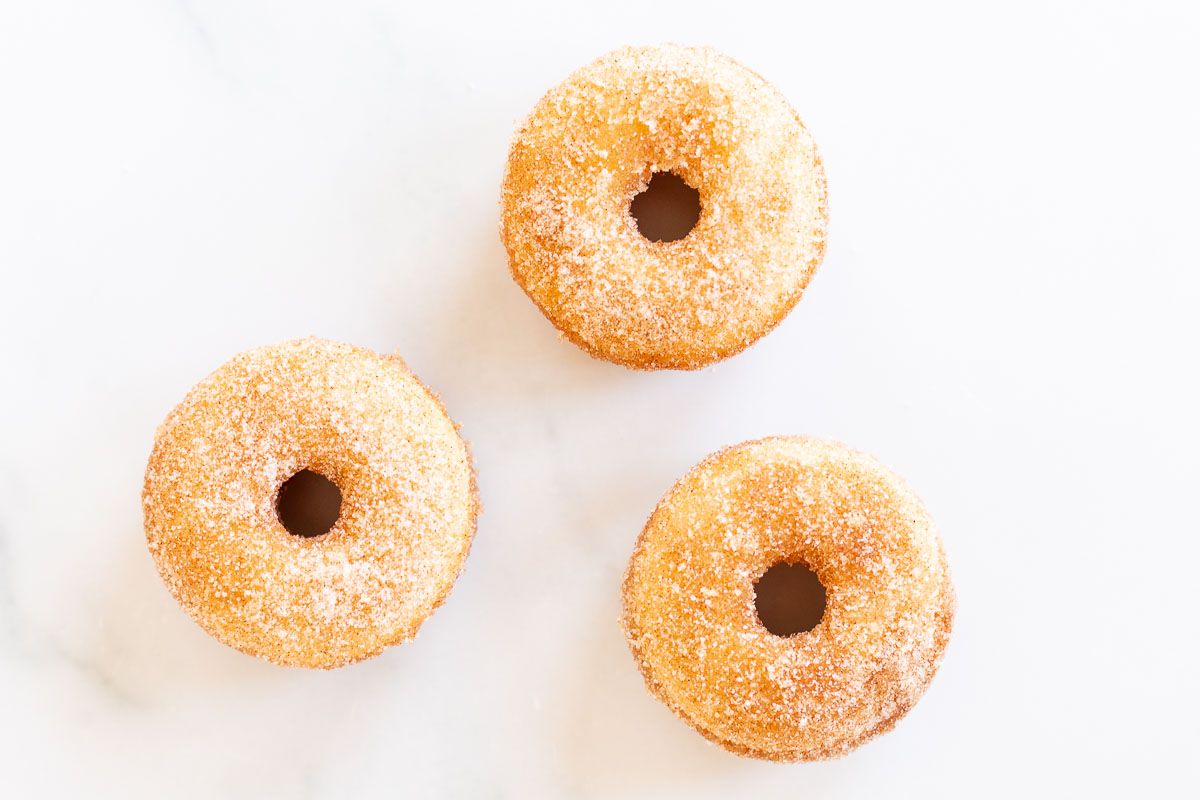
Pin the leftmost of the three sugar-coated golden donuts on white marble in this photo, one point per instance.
(365, 424)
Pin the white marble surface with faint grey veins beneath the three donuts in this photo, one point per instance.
(1007, 316)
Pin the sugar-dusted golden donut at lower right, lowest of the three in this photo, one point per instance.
(689, 599)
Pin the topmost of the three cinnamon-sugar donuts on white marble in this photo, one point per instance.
(596, 143)
